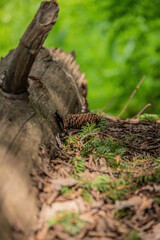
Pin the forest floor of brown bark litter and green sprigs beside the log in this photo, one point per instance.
(103, 182)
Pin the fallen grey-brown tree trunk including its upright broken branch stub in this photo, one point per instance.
(39, 86)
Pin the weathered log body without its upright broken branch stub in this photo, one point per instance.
(27, 122)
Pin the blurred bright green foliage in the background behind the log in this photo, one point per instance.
(116, 42)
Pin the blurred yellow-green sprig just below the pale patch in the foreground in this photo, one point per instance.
(70, 222)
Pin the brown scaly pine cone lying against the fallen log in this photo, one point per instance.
(78, 120)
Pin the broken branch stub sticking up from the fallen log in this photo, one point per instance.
(16, 76)
